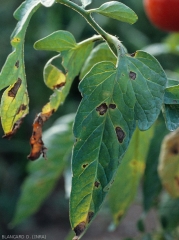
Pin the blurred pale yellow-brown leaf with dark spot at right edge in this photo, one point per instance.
(169, 163)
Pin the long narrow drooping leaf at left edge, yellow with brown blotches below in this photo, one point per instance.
(14, 103)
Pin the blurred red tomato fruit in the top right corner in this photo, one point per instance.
(164, 14)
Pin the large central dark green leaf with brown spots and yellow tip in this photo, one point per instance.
(114, 100)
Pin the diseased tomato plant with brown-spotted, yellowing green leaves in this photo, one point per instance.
(123, 96)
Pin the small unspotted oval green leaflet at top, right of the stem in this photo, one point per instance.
(117, 11)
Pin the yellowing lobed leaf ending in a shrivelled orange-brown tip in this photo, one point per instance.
(74, 56)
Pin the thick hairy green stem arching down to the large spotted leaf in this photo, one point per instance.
(112, 41)
